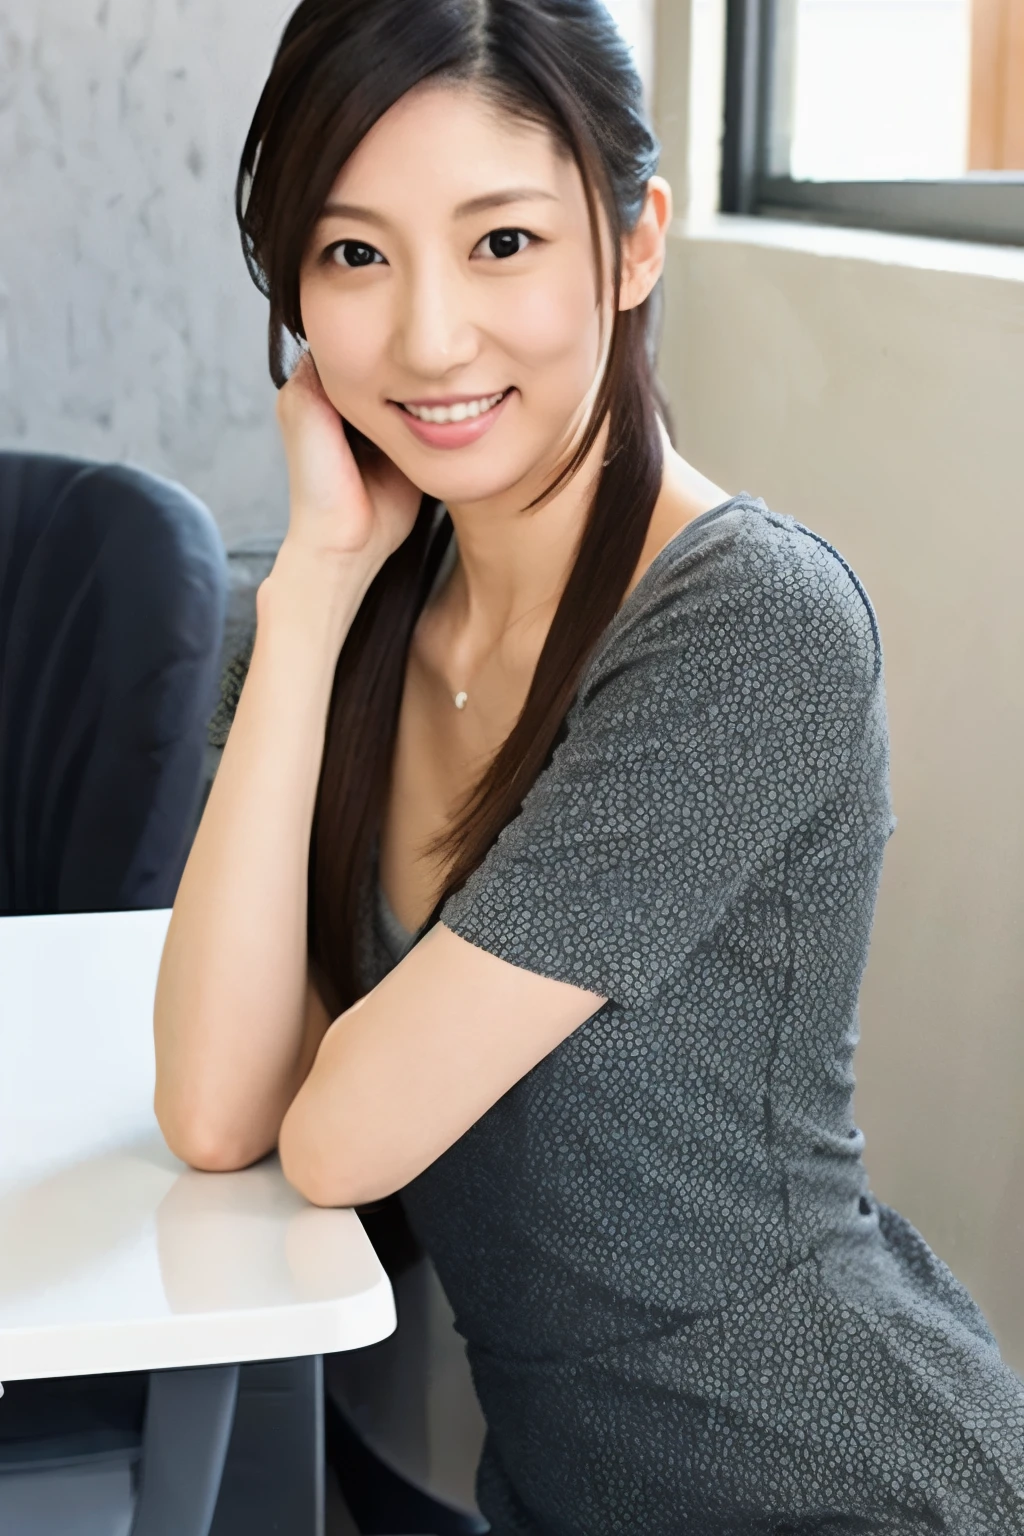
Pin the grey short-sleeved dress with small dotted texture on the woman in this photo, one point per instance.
(685, 1311)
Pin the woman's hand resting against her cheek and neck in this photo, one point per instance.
(339, 508)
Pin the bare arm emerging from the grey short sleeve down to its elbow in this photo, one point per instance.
(408, 1071)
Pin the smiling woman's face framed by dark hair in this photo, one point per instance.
(454, 270)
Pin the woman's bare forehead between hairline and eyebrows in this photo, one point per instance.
(441, 145)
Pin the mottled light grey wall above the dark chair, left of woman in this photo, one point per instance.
(128, 325)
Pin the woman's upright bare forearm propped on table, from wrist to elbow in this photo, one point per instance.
(233, 1034)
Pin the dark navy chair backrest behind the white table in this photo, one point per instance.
(113, 589)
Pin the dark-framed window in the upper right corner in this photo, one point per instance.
(893, 114)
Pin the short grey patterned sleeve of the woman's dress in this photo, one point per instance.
(732, 701)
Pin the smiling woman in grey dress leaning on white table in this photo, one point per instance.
(567, 806)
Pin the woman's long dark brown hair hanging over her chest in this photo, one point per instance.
(560, 64)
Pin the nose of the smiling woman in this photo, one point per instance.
(435, 331)
